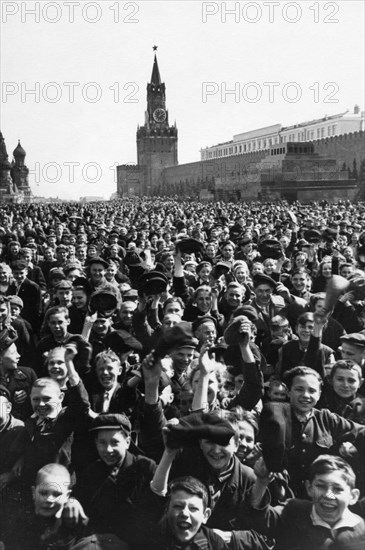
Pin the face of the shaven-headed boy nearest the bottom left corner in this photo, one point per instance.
(51, 495)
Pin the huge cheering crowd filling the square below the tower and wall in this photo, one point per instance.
(182, 375)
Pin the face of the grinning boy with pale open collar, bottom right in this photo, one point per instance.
(331, 496)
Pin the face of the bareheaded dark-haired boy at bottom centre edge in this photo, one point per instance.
(185, 514)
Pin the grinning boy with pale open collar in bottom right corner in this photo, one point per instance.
(326, 522)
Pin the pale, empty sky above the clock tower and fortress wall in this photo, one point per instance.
(89, 63)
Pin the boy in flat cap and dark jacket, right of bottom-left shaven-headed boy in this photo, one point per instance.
(112, 489)
